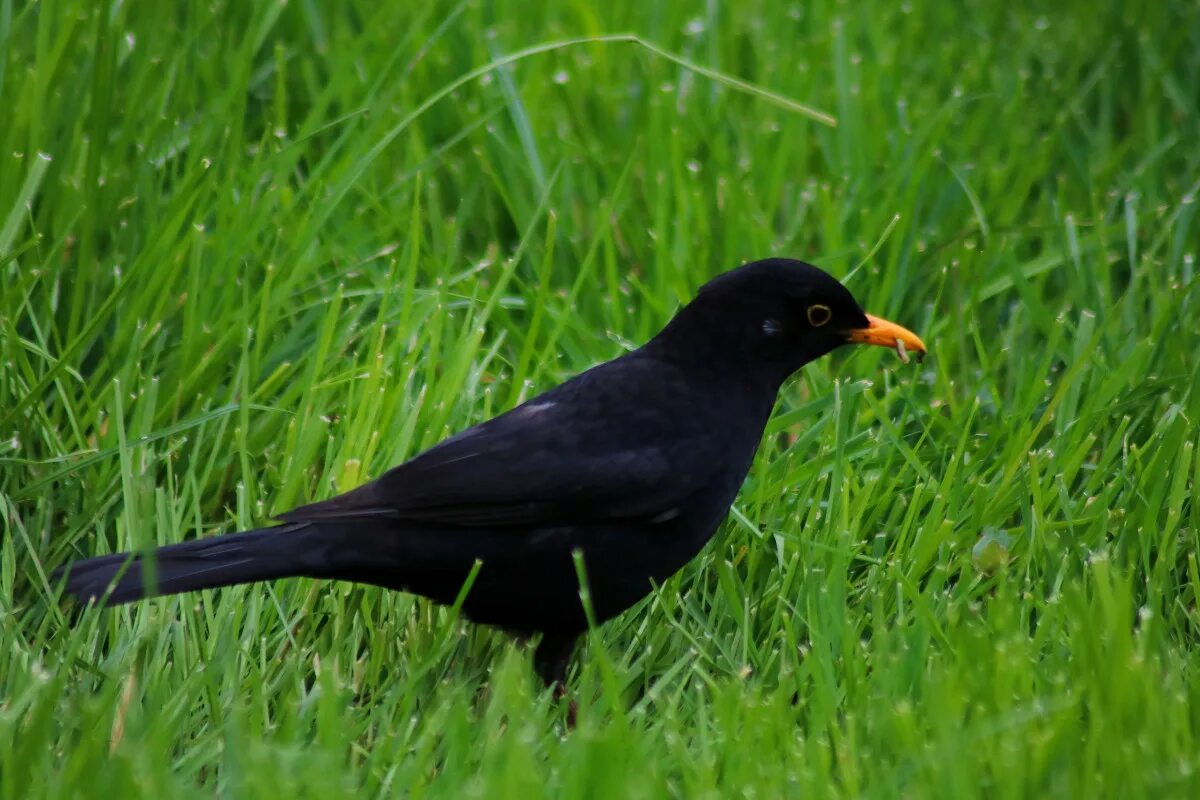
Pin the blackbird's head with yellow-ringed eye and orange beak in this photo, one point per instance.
(778, 315)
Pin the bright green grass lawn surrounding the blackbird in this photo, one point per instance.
(255, 254)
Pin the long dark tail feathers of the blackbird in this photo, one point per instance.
(263, 555)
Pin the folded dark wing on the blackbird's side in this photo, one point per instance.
(598, 448)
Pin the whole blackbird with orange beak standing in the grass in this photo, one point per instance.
(633, 465)
